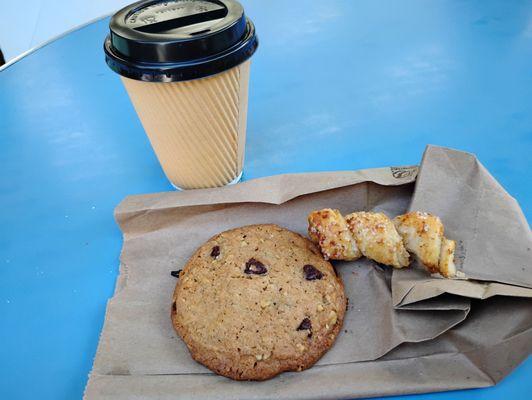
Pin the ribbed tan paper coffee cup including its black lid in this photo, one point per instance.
(185, 65)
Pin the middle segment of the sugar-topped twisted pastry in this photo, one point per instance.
(377, 238)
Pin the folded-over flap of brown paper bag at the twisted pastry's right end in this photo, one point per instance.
(494, 241)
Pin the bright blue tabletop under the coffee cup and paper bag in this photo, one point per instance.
(335, 85)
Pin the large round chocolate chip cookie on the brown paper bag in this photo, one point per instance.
(258, 300)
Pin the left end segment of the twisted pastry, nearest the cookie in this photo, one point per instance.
(329, 230)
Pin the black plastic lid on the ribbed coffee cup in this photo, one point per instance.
(165, 41)
